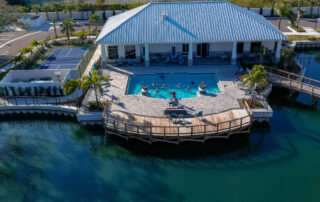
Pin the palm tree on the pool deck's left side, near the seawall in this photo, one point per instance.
(94, 80)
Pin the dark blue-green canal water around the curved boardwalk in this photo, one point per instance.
(48, 160)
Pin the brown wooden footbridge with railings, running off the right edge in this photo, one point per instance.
(295, 81)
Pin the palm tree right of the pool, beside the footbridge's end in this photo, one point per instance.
(256, 79)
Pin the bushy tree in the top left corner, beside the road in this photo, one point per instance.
(9, 16)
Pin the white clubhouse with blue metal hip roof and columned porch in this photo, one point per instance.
(188, 33)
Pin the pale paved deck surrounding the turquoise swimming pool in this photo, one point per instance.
(227, 99)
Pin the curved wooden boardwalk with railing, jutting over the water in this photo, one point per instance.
(160, 129)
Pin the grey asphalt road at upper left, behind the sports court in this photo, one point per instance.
(12, 42)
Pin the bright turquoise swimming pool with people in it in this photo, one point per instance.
(185, 85)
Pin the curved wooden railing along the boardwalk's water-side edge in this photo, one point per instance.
(151, 133)
